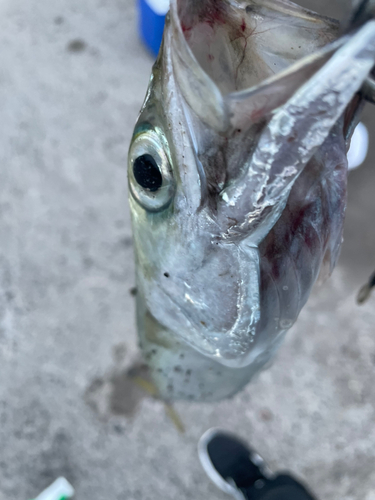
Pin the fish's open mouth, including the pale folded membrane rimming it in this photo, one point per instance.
(235, 62)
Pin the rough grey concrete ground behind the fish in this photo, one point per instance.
(72, 78)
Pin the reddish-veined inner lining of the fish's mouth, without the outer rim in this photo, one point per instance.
(241, 44)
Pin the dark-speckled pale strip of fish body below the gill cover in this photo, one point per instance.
(180, 372)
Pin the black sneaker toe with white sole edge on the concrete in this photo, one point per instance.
(230, 464)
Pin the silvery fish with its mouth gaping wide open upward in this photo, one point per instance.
(237, 175)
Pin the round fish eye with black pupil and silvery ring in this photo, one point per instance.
(149, 171)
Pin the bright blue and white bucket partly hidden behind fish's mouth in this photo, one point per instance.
(151, 22)
